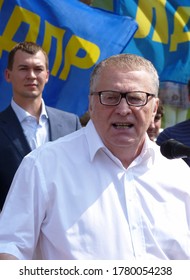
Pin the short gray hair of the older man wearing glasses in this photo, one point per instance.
(127, 62)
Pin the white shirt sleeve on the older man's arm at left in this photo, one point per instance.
(26, 202)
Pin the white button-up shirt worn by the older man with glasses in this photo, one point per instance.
(86, 205)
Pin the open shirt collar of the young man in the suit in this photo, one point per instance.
(22, 114)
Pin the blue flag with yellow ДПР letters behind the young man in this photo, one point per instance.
(75, 37)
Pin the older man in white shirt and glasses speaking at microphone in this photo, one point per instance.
(105, 191)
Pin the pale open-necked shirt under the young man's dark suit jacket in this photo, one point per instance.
(37, 133)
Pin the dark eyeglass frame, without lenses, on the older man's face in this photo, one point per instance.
(123, 95)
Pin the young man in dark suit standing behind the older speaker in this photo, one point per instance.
(27, 123)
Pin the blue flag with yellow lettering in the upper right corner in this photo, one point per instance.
(163, 35)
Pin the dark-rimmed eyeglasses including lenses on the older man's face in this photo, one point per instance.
(113, 98)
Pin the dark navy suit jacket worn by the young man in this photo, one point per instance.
(14, 146)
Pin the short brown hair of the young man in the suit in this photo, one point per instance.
(28, 47)
